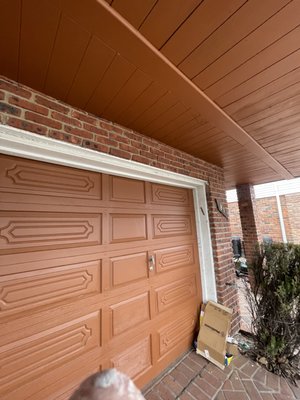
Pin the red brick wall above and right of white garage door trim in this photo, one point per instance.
(27, 109)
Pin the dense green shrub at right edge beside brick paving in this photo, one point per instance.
(274, 300)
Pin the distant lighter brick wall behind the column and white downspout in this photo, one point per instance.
(268, 218)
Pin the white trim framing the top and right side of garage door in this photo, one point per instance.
(16, 142)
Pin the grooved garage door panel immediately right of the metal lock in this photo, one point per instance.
(174, 257)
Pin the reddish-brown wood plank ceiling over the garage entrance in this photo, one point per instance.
(217, 79)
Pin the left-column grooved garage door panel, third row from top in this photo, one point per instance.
(30, 290)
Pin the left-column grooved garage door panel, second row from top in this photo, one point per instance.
(29, 231)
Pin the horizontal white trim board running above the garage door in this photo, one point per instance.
(25, 144)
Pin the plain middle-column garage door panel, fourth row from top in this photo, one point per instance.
(130, 313)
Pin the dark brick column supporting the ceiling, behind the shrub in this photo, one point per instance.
(249, 219)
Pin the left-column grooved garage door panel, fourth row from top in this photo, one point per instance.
(30, 357)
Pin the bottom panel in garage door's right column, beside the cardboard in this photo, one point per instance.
(178, 331)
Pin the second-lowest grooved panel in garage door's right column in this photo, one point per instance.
(175, 293)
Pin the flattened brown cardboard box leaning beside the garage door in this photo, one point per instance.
(214, 328)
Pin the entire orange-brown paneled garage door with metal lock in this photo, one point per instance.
(96, 271)
